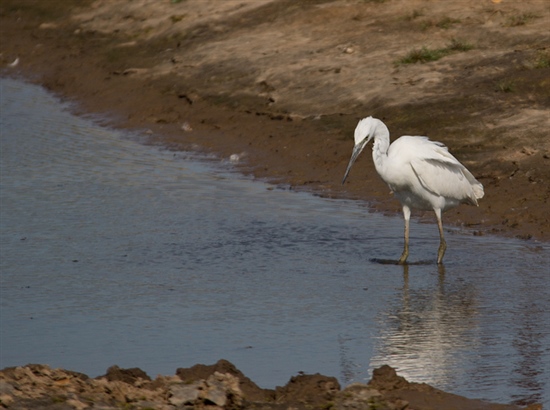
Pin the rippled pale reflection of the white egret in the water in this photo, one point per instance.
(425, 331)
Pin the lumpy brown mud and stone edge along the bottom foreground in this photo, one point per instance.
(218, 386)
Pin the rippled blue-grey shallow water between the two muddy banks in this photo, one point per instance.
(113, 252)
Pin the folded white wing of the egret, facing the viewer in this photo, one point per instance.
(439, 172)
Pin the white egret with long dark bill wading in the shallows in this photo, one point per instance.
(421, 173)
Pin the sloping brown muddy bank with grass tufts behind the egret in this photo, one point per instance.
(281, 84)
